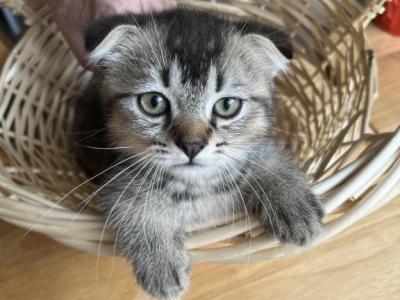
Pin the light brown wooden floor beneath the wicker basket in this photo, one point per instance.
(362, 263)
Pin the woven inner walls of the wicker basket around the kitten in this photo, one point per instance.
(323, 100)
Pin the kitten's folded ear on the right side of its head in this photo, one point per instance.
(272, 46)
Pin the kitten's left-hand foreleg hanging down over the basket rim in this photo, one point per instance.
(152, 241)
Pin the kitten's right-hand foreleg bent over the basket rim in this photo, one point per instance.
(286, 204)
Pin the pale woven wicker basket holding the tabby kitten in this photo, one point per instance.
(325, 103)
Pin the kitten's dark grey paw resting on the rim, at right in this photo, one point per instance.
(295, 218)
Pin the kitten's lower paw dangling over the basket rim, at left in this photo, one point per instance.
(165, 277)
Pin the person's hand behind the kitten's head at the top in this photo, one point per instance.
(72, 16)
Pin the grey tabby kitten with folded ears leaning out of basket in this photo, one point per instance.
(181, 105)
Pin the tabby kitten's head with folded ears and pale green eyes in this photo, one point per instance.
(193, 89)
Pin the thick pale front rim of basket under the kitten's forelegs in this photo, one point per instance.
(380, 164)
